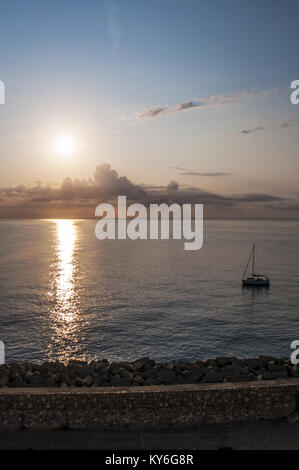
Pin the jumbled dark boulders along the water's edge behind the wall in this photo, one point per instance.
(144, 371)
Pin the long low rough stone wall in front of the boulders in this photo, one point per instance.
(46, 408)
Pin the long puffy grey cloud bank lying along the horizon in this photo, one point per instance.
(79, 197)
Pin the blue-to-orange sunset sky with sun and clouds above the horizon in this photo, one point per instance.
(173, 100)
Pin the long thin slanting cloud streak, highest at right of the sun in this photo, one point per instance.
(210, 101)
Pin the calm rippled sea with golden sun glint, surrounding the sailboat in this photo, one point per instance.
(65, 294)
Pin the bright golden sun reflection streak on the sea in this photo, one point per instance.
(63, 293)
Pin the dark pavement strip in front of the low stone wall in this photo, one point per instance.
(247, 436)
